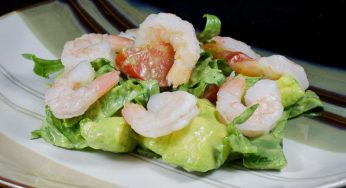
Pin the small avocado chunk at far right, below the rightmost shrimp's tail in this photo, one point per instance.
(290, 90)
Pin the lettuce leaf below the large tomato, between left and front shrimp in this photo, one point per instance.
(130, 90)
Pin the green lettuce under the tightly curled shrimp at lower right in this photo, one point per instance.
(263, 152)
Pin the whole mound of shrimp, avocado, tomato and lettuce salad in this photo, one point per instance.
(120, 99)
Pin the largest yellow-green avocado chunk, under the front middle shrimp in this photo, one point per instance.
(200, 146)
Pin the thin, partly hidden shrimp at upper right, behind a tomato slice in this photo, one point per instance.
(228, 43)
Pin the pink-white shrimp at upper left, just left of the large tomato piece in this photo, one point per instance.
(90, 47)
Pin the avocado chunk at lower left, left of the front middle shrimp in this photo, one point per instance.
(109, 134)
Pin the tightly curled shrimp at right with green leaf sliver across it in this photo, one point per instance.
(265, 93)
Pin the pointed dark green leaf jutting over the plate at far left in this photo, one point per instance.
(43, 67)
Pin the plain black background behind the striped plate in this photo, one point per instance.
(309, 30)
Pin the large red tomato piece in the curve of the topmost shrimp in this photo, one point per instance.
(147, 63)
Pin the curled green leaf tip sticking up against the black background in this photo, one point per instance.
(212, 28)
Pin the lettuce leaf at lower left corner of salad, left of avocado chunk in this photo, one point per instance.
(54, 132)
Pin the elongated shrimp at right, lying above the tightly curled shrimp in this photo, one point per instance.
(272, 67)
